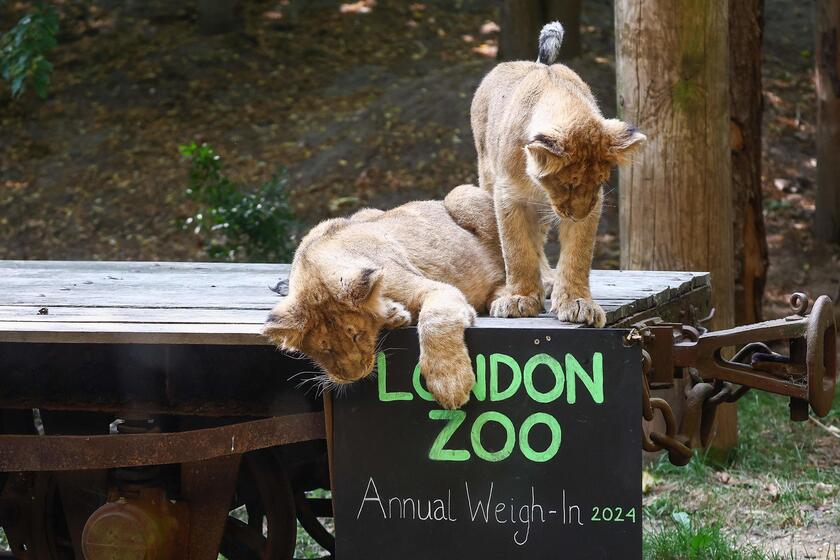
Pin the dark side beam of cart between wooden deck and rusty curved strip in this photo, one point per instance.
(188, 379)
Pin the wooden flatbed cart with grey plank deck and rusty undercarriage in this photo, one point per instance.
(140, 399)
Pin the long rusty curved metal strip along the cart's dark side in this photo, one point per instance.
(60, 453)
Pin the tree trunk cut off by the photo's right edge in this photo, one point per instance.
(828, 121)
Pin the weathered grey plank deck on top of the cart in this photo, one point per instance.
(221, 303)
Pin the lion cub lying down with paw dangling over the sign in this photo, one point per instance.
(432, 262)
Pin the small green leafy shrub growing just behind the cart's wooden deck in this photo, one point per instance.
(235, 222)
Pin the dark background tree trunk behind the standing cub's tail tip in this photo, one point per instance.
(523, 19)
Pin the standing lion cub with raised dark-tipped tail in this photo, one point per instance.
(544, 151)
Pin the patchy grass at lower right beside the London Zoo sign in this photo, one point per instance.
(784, 478)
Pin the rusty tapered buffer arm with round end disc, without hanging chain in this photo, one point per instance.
(808, 375)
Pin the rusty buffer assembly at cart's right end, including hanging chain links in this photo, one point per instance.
(807, 374)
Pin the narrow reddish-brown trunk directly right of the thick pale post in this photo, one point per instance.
(746, 23)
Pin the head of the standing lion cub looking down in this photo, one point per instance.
(571, 162)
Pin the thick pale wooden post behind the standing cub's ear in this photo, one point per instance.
(675, 200)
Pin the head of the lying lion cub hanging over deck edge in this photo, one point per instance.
(335, 323)
